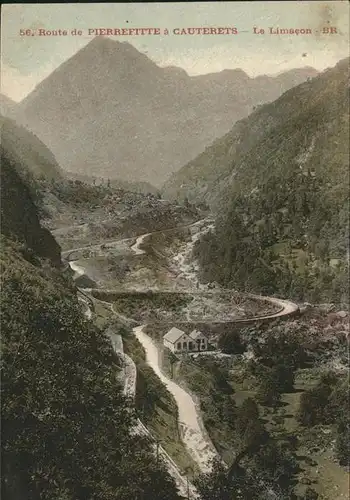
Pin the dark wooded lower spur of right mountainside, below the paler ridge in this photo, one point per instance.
(246, 238)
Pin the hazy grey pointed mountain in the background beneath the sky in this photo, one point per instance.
(110, 111)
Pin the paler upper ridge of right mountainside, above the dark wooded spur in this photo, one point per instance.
(307, 125)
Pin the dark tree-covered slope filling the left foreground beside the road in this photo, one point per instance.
(66, 429)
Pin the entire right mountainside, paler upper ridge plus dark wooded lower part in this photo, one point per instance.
(283, 223)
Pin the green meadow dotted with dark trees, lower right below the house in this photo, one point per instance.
(261, 433)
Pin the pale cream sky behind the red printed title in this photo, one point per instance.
(26, 60)
